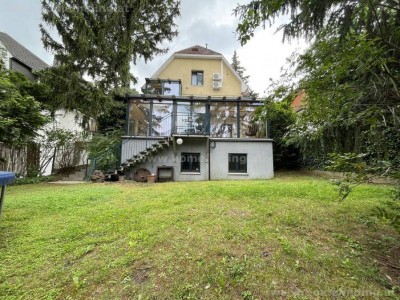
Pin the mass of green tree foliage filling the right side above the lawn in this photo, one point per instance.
(350, 74)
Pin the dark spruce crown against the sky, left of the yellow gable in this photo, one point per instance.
(102, 38)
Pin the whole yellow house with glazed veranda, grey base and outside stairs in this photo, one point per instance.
(192, 123)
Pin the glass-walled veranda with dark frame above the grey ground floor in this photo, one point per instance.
(162, 116)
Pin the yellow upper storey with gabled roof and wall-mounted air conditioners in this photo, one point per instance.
(200, 72)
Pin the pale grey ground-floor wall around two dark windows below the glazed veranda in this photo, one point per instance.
(259, 159)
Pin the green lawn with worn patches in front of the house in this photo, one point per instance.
(285, 238)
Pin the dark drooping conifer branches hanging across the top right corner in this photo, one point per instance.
(309, 17)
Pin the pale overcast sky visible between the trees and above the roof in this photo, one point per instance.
(201, 22)
